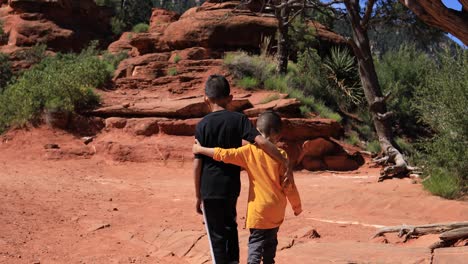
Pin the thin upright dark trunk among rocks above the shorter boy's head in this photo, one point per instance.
(282, 15)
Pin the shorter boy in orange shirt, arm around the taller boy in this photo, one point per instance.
(267, 198)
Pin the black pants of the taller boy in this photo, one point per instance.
(220, 215)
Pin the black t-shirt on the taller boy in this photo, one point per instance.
(223, 129)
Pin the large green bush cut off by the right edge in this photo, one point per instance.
(441, 104)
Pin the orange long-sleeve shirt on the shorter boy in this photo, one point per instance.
(267, 199)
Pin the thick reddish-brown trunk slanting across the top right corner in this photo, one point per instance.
(435, 13)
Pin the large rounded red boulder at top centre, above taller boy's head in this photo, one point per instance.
(219, 27)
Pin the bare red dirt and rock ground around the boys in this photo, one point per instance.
(98, 211)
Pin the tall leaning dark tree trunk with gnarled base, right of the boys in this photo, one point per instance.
(380, 115)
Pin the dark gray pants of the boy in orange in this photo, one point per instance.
(262, 244)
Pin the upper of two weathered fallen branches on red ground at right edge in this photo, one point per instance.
(409, 230)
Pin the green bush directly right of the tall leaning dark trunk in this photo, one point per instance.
(404, 72)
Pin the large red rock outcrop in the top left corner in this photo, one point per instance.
(63, 25)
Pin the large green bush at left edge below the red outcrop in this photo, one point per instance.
(64, 82)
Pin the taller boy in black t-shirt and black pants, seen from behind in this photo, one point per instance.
(217, 185)
